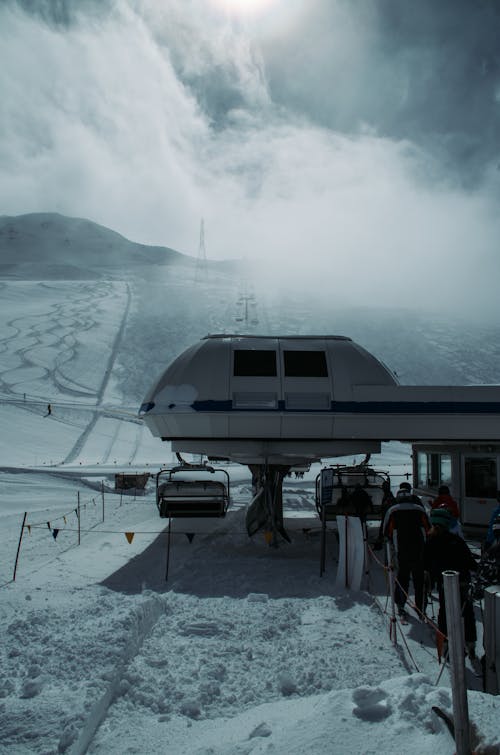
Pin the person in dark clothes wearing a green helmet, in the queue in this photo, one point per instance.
(446, 551)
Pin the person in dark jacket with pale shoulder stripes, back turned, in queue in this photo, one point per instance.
(406, 525)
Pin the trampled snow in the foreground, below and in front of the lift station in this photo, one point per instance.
(245, 649)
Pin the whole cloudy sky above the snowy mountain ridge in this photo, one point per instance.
(359, 135)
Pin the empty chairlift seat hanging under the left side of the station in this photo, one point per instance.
(186, 492)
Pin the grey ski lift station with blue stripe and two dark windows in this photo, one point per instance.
(275, 402)
